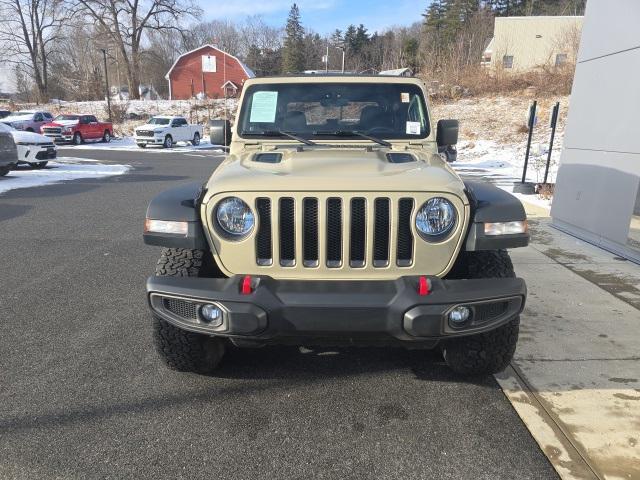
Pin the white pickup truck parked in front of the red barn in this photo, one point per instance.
(167, 131)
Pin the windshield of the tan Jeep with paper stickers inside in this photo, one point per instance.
(326, 110)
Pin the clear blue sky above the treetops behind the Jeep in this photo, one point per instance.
(322, 16)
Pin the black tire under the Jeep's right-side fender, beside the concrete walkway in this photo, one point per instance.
(488, 352)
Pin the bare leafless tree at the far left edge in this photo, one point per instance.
(29, 28)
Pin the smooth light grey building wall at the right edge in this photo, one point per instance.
(597, 189)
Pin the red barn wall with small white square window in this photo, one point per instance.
(189, 68)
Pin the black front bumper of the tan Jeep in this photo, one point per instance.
(351, 312)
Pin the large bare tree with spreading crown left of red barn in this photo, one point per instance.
(127, 22)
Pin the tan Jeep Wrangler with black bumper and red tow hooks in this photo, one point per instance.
(336, 220)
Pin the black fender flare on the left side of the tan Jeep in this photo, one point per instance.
(179, 204)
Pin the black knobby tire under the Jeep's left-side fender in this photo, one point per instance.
(181, 350)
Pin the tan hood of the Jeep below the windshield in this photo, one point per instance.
(335, 169)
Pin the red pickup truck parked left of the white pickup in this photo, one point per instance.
(77, 128)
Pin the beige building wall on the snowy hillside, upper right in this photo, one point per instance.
(533, 41)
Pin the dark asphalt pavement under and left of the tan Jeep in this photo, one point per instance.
(83, 394)
